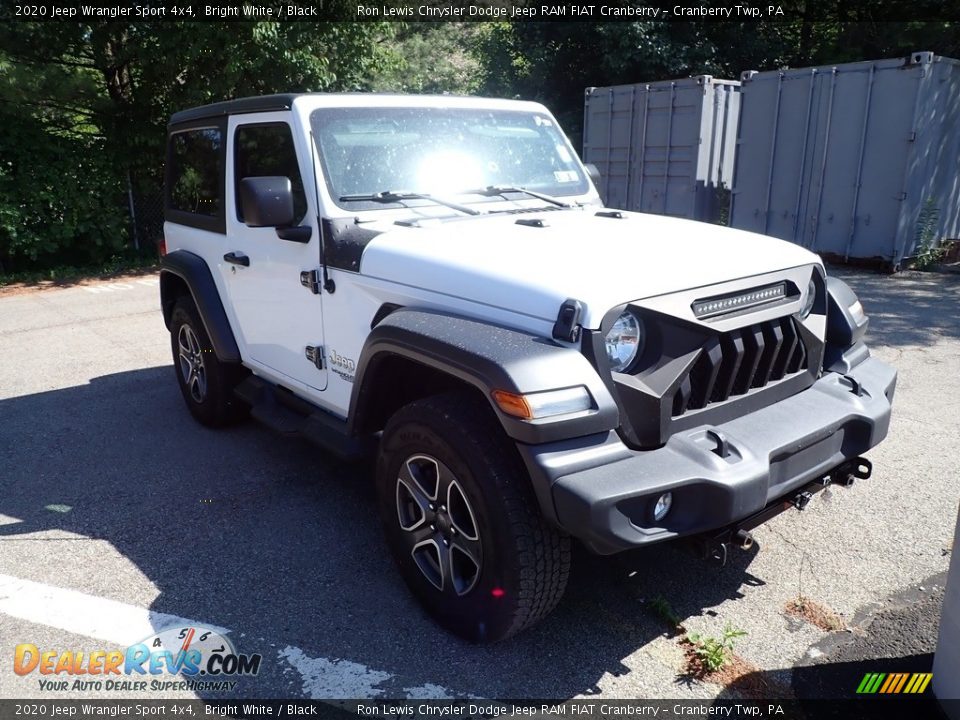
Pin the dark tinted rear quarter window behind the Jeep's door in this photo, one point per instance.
(195, 172)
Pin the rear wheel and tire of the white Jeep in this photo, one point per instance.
(205, 383)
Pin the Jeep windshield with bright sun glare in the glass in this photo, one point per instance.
(441, 151)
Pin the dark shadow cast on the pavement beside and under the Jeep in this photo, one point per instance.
(266, 536)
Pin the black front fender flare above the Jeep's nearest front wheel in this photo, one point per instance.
(488, 357)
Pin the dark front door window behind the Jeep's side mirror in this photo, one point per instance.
(265, 150)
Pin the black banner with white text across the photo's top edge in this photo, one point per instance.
(93, 11)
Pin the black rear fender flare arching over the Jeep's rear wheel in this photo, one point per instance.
(196, 275)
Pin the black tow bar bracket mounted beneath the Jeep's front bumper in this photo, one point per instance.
(715, 545)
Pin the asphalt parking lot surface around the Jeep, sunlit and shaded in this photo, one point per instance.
(120, 516)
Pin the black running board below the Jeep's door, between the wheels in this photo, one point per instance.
(285, 413)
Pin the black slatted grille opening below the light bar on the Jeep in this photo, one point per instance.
(735, 362)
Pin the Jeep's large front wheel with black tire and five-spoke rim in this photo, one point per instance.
(461, 521)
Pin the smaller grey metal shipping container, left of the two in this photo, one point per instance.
(664, 147)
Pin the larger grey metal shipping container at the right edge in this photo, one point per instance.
(852, 161)
